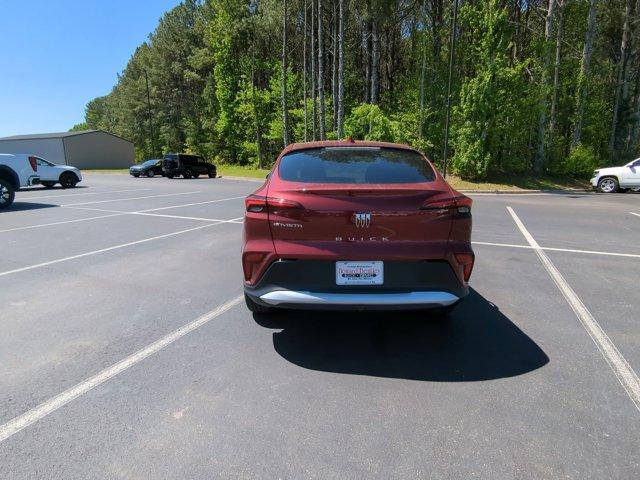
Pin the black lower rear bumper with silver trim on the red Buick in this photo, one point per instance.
(311, 284)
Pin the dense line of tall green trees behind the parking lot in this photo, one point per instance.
(545, 86)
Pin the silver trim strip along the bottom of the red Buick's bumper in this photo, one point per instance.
(278, 297)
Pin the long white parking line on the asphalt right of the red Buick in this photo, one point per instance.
(621, 368)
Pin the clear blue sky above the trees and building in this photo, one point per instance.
(55, 56)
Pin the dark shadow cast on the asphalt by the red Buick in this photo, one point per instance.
(477, 342)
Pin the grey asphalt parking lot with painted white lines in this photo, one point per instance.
(126, 351)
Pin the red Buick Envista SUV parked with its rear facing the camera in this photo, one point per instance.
(356, 225)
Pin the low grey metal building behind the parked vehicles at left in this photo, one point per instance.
(83, 149)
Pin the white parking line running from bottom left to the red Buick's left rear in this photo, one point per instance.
(18, 423)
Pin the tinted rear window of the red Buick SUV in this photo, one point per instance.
(359, 165)
